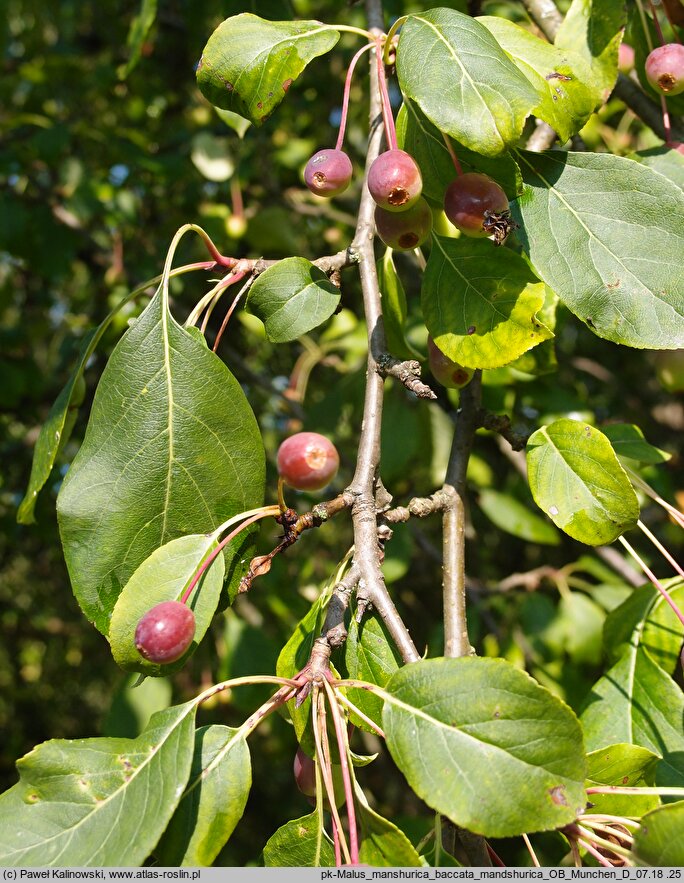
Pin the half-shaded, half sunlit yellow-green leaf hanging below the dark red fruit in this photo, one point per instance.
(480, 302)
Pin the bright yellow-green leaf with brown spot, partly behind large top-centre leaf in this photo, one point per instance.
(562, 79)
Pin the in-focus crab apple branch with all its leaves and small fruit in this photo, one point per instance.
(161, 510)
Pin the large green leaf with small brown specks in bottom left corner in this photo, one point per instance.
(97, 802)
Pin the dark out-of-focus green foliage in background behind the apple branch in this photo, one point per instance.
(96, 174)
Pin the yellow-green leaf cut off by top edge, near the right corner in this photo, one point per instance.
(593, 29)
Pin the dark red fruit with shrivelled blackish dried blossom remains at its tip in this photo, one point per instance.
(478, 207)
